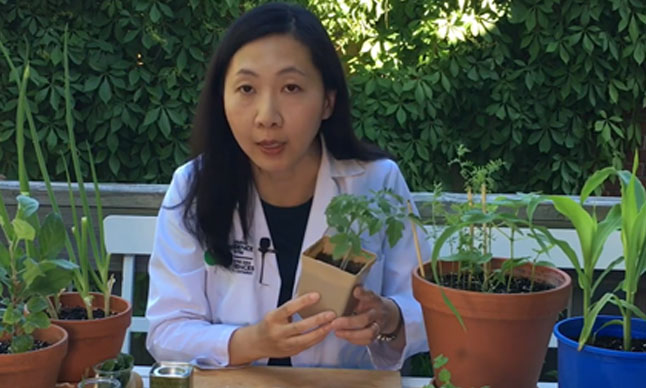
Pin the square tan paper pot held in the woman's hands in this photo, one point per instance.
(334, 284)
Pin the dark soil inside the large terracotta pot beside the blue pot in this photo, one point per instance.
(517, 285)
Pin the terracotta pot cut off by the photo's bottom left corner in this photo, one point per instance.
(38, 368)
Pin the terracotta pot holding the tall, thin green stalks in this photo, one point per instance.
(92, 341)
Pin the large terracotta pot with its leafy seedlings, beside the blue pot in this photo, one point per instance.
(491, 317)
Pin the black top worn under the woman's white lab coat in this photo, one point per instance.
(287, 229)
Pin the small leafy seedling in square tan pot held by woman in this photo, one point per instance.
(336, 263)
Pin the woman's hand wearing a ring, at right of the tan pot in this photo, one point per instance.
(372, 315)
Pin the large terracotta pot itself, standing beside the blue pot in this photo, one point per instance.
(506, 336)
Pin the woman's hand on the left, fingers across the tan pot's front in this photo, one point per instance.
(277, 336)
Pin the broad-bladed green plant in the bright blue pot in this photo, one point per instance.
(600, 350)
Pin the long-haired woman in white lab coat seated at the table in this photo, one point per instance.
(274, 144)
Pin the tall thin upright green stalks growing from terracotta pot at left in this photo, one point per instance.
(83, 229)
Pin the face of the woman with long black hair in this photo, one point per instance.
(274, 101)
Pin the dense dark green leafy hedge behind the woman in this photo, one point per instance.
(551, 87)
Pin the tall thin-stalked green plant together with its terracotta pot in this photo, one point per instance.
(96, 322)
